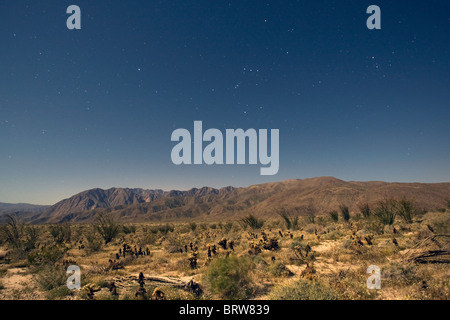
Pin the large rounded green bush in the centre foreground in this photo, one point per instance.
(229, 278)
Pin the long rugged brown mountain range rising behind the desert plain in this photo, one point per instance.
(320, 195)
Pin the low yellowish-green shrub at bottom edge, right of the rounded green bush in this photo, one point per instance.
(303, 290)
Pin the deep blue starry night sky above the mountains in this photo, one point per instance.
(96, 107)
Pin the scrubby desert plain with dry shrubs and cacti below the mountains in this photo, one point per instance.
(290, 256)
